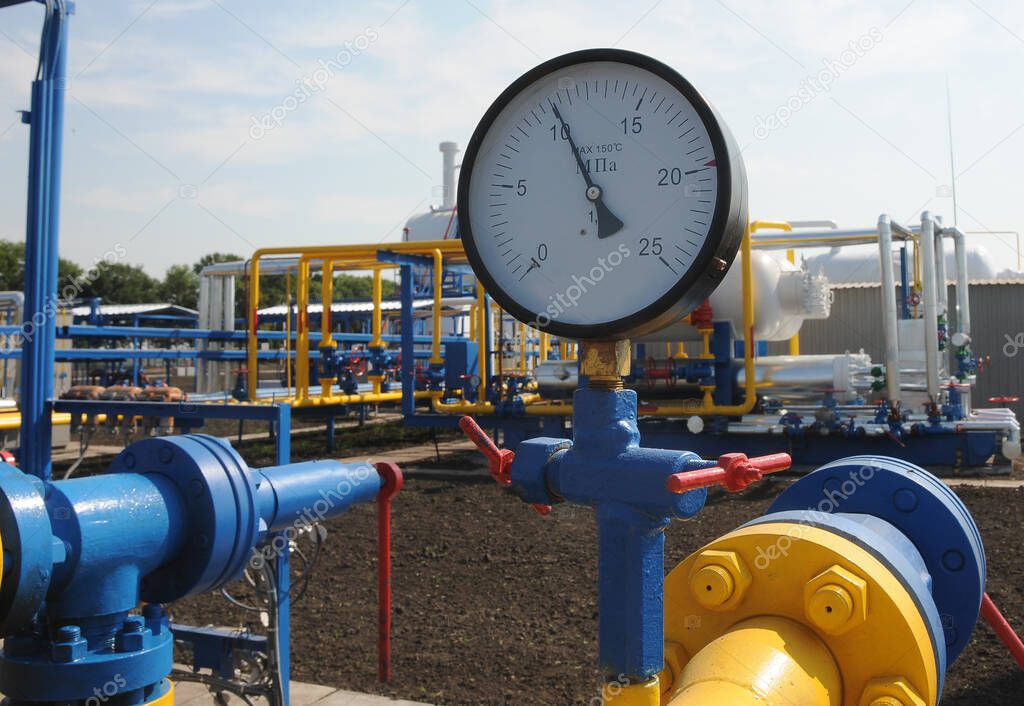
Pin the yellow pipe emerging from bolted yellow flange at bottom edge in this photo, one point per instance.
(761, 662)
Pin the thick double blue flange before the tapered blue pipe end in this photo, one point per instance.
(223, 531)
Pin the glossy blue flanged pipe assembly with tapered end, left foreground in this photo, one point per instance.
(173, 517)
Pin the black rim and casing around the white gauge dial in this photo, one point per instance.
(710, 266)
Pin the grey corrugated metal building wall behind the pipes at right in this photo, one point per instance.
(997, 312)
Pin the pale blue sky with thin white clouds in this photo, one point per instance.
(195, 127)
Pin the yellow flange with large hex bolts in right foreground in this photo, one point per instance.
(821, 580)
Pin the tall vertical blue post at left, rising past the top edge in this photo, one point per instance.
(47, 121)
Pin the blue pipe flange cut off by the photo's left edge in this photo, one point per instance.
(28, 549)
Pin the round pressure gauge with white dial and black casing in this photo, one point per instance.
(602, 197)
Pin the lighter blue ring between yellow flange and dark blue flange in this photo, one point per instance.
(892, 549)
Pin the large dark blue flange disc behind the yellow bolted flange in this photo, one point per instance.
(924, 510)
